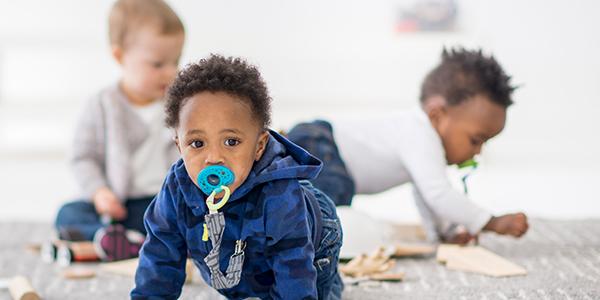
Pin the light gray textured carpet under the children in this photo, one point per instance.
(562, 258)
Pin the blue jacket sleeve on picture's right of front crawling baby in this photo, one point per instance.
(290, 250)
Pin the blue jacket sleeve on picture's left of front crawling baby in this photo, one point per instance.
(161, 270)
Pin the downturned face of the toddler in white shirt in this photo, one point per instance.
(464, 128)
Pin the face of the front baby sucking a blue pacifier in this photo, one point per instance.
(219, 129)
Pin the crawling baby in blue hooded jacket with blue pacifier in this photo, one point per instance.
(238, 202)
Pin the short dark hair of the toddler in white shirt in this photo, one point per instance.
(465, 73)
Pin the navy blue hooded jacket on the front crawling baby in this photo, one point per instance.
(271, 211)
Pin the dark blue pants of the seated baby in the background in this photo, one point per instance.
(81, 218)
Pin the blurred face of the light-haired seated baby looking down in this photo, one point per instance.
(149, 62)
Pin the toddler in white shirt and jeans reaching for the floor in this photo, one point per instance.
(463, 104)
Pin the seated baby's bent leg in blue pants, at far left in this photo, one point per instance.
(77, 221)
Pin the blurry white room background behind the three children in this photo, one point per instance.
(325, 59)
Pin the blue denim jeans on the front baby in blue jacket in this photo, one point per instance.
(329, 282)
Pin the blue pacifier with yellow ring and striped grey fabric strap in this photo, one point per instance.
(212, 181)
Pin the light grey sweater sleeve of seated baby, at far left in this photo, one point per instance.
(88, 157)
